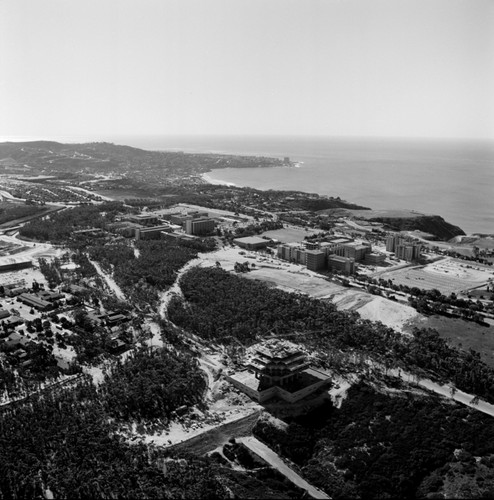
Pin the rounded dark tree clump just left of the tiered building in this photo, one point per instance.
(152, 384)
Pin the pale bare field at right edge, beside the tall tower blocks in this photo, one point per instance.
(447, 275)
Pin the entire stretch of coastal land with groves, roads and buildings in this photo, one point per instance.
(267, 344)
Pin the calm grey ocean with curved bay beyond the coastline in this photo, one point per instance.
(454, 178)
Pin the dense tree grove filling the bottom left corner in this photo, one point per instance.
(65, 443)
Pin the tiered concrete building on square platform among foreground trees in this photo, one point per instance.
(278, 369)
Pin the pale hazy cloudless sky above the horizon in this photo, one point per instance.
(91, 68)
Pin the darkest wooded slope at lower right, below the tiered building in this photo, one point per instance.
(379, 445)
